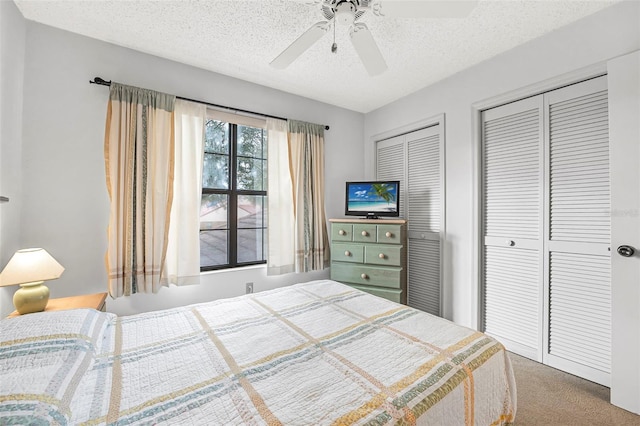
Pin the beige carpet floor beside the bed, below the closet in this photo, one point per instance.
(547, 396)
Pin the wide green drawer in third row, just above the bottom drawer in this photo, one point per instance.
(379, 276)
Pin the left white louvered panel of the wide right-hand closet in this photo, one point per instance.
(512, 221)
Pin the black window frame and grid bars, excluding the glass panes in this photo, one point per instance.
(233, 194)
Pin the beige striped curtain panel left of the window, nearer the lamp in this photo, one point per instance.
(139, 165)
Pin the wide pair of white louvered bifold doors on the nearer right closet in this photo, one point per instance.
(547, 228)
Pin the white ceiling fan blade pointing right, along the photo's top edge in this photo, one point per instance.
(424, 8)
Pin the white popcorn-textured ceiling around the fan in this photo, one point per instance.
(240, 38)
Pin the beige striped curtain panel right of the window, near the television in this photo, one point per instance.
(306, 159)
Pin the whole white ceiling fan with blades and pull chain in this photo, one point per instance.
(347, 12)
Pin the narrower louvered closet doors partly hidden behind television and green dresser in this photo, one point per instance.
(416, 159)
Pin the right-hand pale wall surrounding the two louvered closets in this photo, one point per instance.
(596, 38)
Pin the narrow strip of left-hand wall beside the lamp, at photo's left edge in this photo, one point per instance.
(12, 50)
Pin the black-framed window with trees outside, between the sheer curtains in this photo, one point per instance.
(234, 190)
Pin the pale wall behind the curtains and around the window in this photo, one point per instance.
(65, 202)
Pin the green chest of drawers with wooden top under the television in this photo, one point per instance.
(371, 255)
